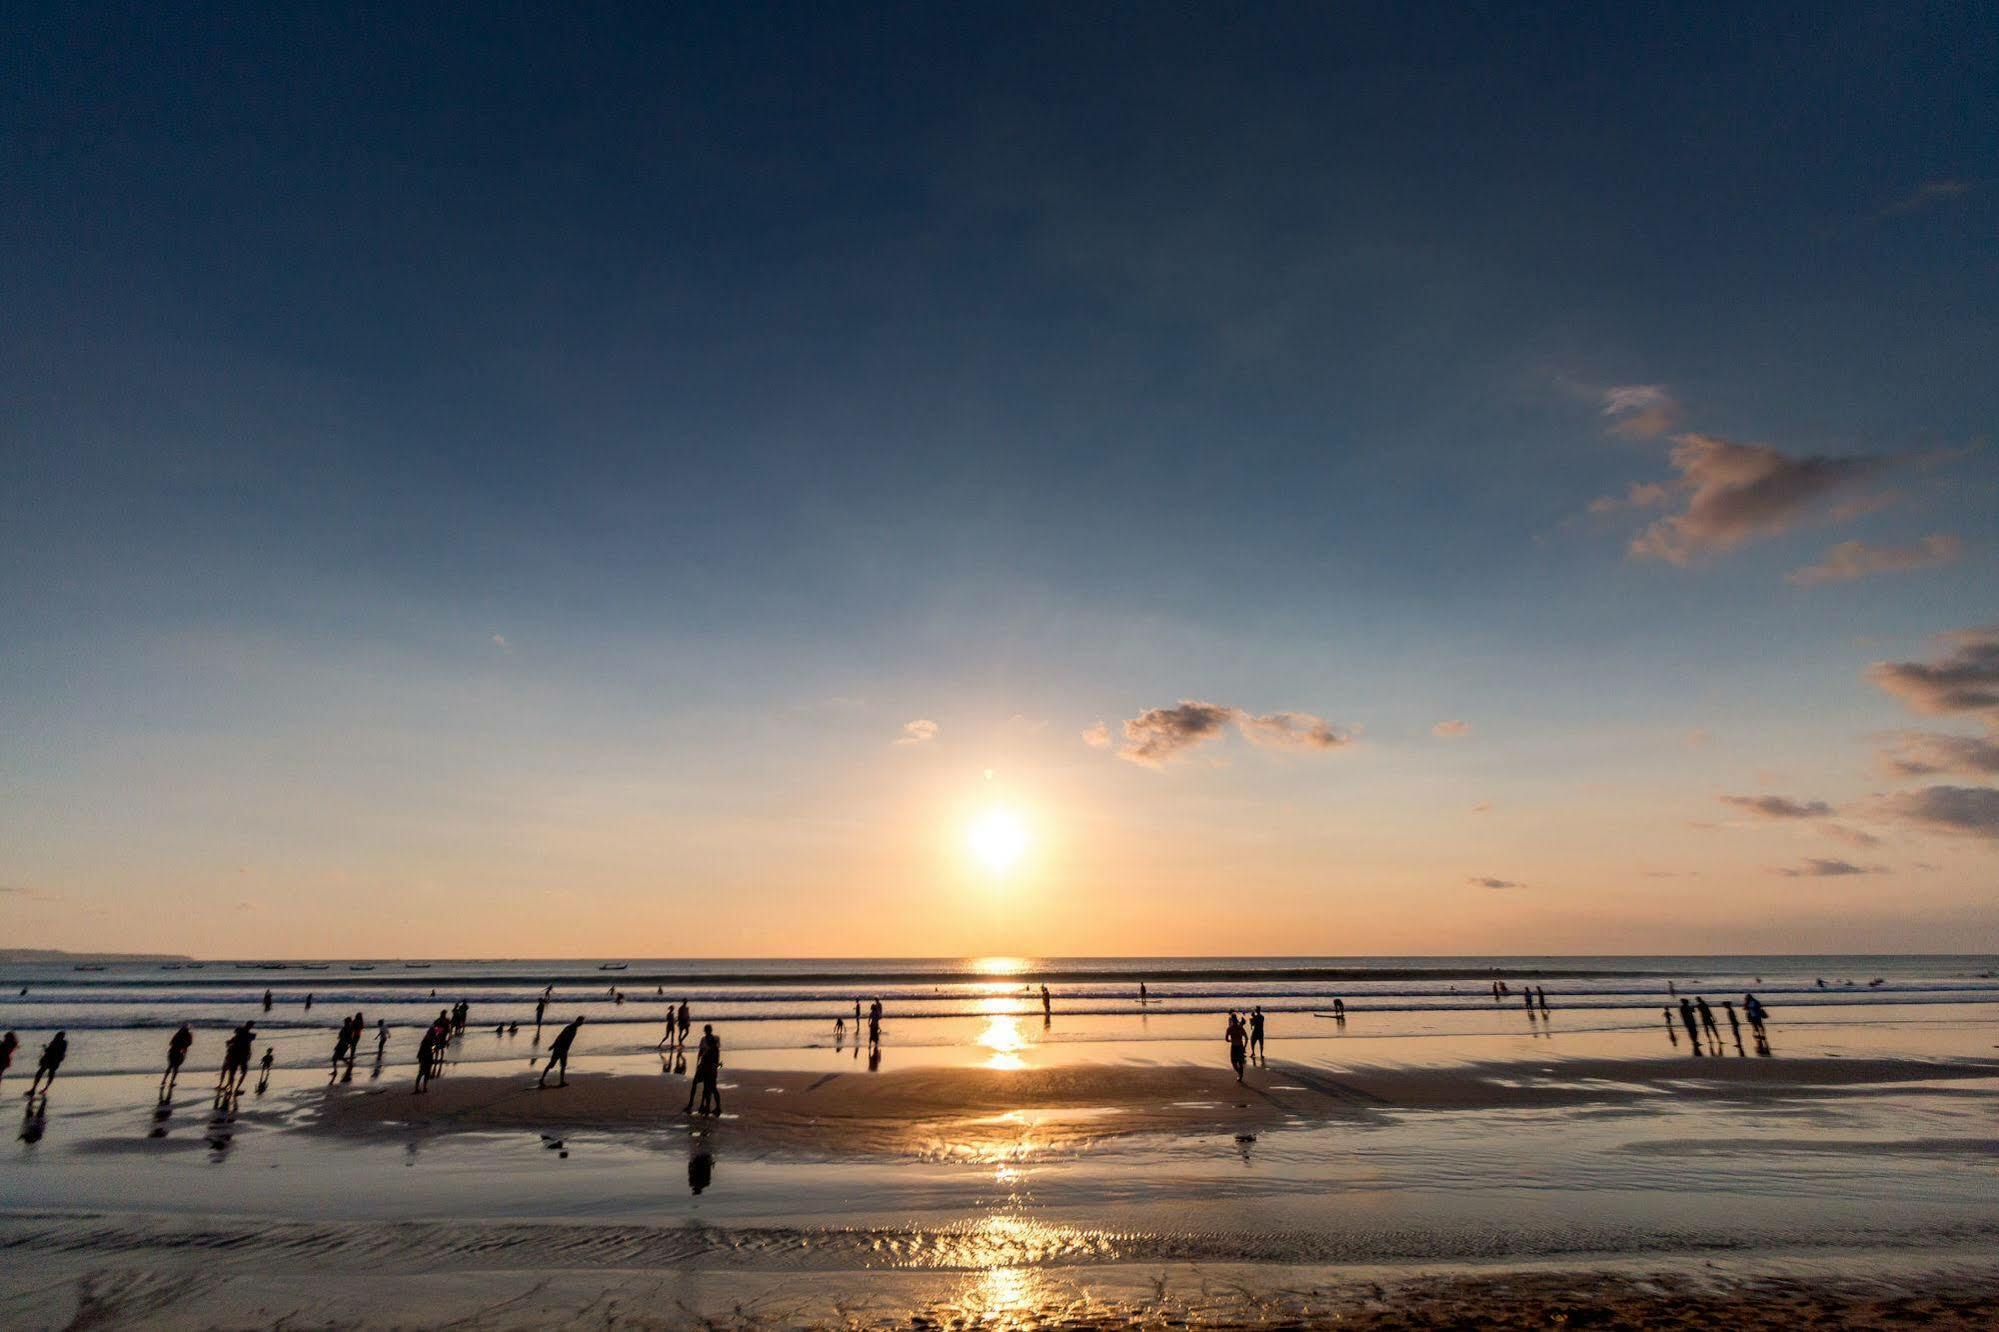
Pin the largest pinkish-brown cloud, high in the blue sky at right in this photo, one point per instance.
(1740, 493)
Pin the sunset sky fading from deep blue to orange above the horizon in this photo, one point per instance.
(1338, 481)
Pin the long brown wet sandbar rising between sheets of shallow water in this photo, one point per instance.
(977, 1111)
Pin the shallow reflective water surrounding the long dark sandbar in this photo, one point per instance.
(1638, 1167)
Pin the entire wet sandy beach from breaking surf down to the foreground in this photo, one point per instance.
(1424, 1165)
